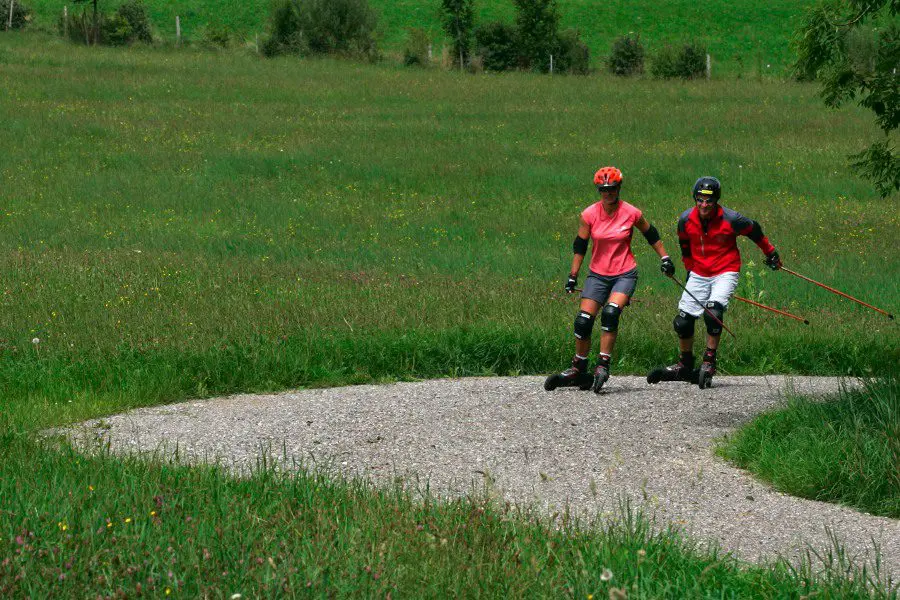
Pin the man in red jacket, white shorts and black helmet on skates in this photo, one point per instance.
(708, 234)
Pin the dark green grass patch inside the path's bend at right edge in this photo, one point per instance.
(843, 448)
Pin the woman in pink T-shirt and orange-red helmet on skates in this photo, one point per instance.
(609, 224)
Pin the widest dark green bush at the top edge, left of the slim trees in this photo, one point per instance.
(345, 27)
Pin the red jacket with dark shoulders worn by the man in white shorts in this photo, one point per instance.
(709, 248)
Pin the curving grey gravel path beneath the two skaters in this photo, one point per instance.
(652, 443)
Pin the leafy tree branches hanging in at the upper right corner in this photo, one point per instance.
(823, 45)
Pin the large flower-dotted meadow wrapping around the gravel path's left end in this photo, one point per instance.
(180, 223)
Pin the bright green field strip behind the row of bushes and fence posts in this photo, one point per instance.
(742, 36)
